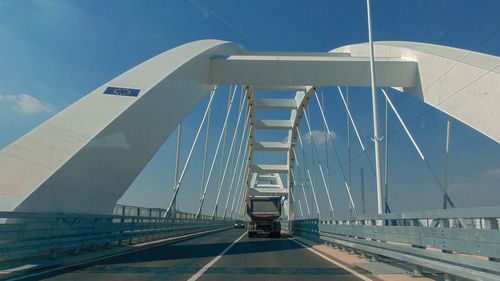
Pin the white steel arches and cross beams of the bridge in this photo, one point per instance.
(83, 159)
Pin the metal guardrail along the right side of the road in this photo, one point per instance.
(456, 242)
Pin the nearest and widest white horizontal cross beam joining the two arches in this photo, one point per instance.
(261, 70)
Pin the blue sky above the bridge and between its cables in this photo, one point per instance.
(54, 52)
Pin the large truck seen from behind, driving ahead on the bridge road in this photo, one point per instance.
(264, 213)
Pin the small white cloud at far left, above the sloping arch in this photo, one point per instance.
(25, 104)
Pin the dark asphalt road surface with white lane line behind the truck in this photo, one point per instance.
(255, 259)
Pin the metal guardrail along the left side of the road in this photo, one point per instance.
(25, 234)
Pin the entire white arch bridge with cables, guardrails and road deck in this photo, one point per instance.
(61, 182)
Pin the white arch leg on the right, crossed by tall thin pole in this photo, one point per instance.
(461, 83)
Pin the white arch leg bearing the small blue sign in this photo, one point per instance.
(84, 158)
